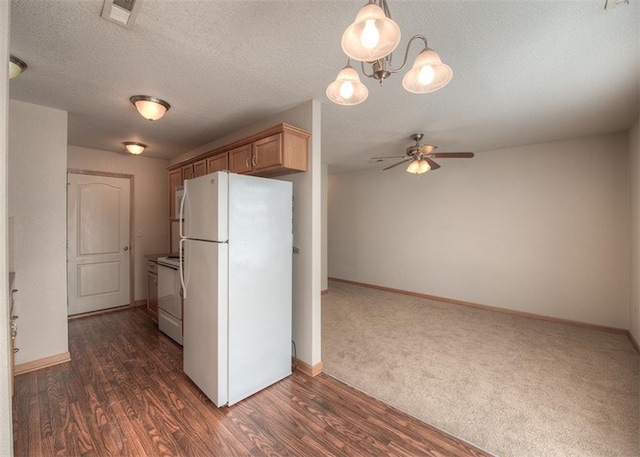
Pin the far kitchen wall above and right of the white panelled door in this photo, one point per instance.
(150, 234)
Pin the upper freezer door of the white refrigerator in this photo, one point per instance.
(205, 207)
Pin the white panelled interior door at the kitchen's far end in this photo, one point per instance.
(98, 242)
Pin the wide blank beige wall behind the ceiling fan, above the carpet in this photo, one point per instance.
(541, 229)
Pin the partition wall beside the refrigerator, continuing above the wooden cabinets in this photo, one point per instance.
(307, 189)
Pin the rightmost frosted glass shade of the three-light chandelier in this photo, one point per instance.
(428, 74)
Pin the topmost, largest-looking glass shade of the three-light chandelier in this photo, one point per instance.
(371, 36)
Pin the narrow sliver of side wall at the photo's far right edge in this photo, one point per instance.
(634, 309)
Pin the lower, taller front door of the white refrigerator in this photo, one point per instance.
(205, 315)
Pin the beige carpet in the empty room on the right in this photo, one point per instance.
(511, 385)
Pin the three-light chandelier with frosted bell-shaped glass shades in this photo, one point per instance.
(372, 38)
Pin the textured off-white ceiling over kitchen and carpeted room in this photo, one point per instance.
(524, 72)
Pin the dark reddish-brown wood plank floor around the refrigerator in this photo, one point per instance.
(124, 393)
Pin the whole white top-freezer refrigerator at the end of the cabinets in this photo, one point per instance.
(236, 269)
